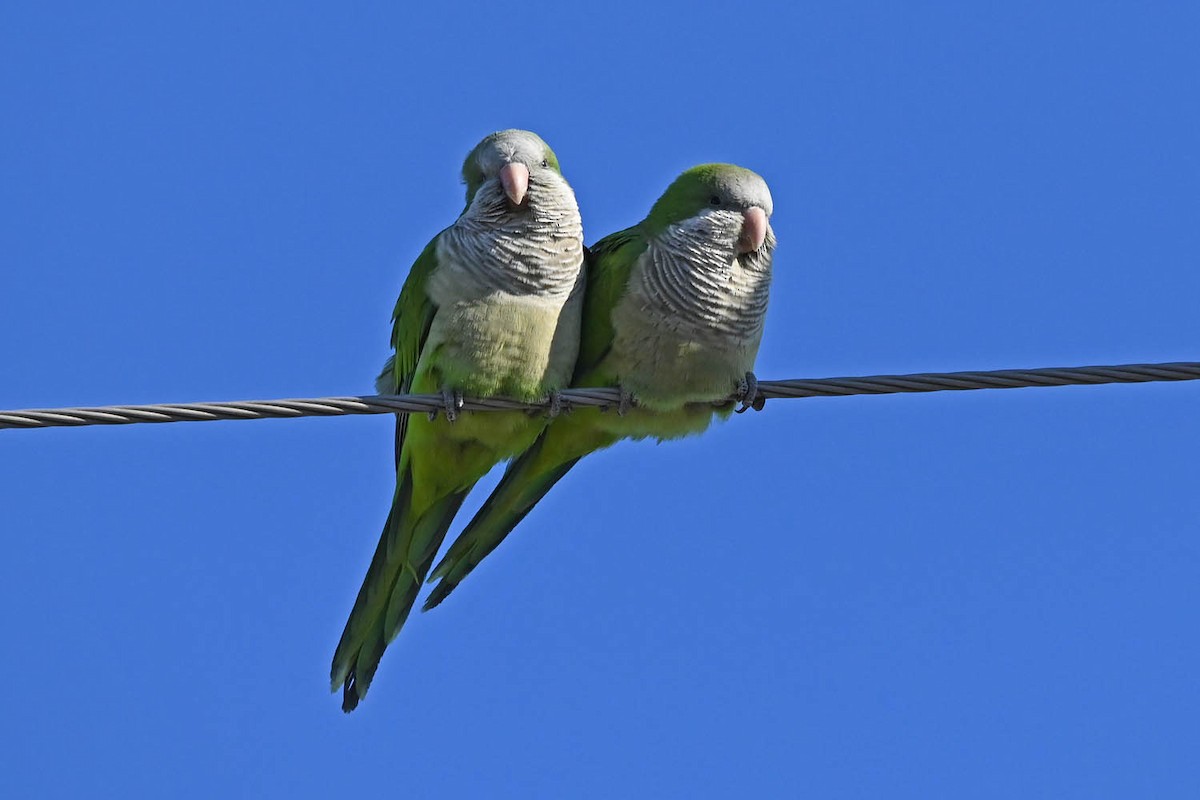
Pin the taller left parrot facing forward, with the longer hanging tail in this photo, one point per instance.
(491, 308)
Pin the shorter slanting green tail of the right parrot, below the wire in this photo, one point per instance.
(525, 483)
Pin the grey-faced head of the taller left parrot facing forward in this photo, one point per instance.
(514, 160)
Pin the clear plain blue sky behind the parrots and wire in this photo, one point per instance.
(986, 594)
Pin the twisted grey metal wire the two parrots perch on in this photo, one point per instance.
(935, 382)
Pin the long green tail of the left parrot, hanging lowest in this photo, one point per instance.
(398, 570)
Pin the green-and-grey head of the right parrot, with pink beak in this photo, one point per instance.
(733, 202)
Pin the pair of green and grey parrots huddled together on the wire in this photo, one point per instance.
(508, 303)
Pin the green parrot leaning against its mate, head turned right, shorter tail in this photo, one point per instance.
(674, 316)
